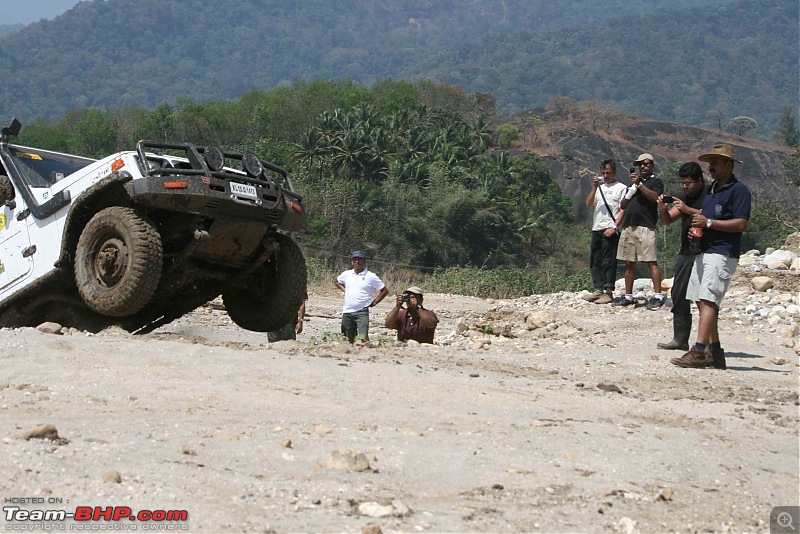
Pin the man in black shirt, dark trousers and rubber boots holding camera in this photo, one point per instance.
(683, 207)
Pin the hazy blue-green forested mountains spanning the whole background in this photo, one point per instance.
(691, 61)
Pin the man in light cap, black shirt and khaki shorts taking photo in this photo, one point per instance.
(638, 240)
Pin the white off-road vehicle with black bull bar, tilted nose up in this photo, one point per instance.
(142, 237)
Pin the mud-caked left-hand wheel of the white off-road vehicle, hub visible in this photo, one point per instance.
(118, 262)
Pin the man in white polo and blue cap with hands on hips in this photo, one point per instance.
(358, 285)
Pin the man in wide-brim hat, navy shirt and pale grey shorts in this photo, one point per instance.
(723, 218)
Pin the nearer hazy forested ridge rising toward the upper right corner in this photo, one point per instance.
(692, 66)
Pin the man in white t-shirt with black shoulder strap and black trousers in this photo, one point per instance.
(605, 197)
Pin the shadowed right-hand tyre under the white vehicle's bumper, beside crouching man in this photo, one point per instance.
(269, 298)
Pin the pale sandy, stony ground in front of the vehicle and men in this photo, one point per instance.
(584, 428)
